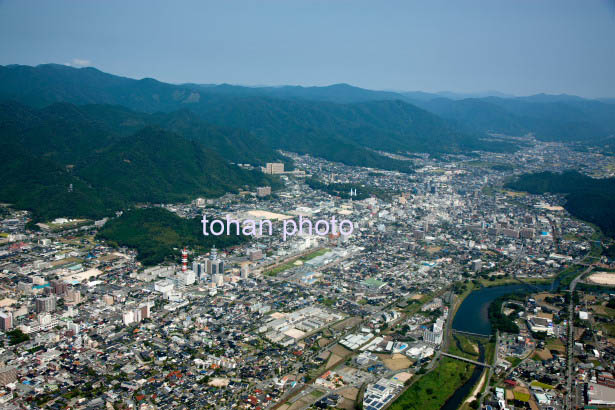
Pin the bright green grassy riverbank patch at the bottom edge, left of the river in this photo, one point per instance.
(432, 390)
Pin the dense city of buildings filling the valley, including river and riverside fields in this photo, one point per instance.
(369, 320)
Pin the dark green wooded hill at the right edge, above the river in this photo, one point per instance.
(587, 198)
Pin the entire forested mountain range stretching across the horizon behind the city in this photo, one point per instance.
(119, 140)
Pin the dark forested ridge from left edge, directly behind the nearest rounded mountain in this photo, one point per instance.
(65, 131)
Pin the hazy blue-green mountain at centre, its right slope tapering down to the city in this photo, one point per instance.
(340, 132)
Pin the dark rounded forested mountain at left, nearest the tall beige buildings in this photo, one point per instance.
(154, 165)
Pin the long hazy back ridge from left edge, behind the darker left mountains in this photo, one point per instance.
(312, 121)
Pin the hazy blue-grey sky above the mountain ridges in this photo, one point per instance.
(514, 46)
